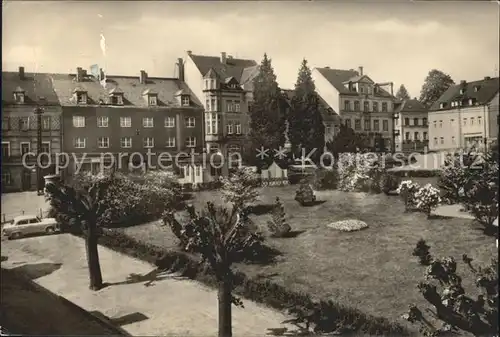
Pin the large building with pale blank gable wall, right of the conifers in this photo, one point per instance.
(362, 104)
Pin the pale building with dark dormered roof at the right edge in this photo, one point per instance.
(465, 116)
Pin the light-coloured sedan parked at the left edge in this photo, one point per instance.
(29, 224)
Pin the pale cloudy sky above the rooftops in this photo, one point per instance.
(398, 41)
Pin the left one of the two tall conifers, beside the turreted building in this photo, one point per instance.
(267, 112)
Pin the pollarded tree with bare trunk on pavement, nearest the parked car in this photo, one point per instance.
(83, 209)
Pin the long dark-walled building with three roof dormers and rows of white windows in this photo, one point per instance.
(127, 117)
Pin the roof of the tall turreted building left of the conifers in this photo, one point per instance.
(240, 69)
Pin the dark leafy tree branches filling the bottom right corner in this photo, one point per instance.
(452, 306)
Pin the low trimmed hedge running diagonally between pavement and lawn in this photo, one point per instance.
(330, 316)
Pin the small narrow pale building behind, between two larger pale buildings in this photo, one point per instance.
(412, 126)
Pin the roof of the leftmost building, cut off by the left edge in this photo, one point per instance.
(34, 85)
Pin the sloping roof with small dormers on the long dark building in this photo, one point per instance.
(133, 91)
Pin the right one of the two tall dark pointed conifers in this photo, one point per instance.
(305, 122)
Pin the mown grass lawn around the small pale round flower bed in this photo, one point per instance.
(372, 269)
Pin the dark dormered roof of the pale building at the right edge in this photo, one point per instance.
(487, 89)
